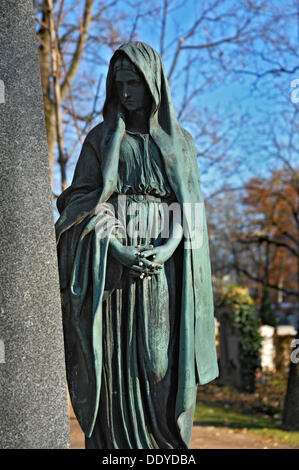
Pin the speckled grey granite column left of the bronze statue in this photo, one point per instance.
(33, 399)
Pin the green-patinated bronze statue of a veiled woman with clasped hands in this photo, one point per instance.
(137, 304)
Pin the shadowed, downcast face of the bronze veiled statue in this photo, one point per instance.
(132, 90)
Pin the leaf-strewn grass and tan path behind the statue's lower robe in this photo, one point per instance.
(226, 418)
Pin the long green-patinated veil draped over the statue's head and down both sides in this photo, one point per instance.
(84, 263)
